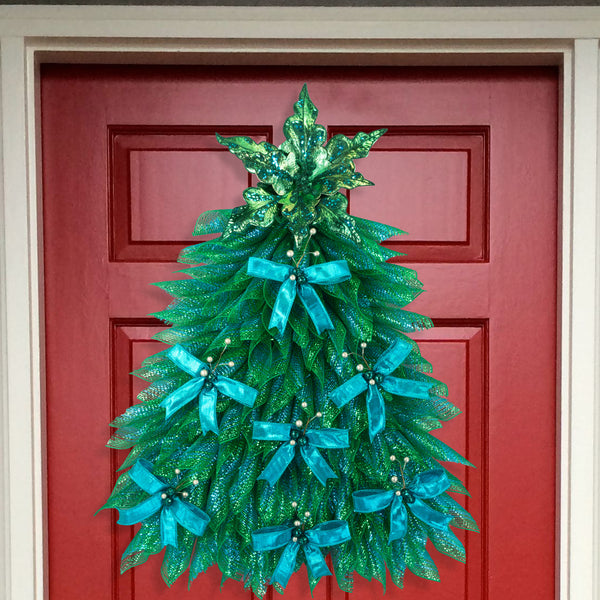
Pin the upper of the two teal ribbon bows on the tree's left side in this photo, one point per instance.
(205, 386)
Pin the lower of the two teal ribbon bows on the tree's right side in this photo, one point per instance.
(425, 485)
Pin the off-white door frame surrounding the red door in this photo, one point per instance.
(29, 35)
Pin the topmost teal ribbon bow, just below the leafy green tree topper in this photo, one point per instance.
(298, 281)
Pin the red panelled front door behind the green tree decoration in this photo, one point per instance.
(468, 168)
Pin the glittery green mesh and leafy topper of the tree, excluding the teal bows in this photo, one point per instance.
(298, 189)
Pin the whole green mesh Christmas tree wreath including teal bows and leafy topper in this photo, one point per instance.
(290, 417)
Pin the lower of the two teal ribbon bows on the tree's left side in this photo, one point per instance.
(166, 499)
